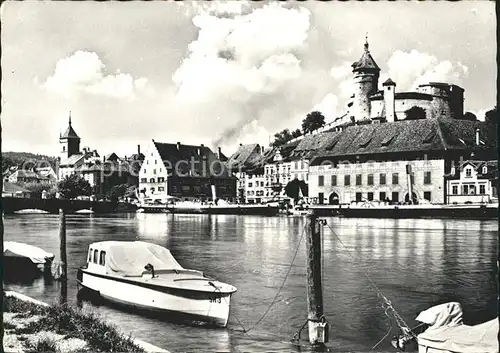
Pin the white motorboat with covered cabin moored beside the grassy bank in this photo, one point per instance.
(146, 276)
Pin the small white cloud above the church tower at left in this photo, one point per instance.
(84, 73)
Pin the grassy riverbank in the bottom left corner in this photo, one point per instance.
(30, 327)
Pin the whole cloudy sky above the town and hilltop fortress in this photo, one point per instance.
(220, 73)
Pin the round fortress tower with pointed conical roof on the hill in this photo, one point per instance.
(366, 73)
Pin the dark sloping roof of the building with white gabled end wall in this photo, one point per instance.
(187, 153)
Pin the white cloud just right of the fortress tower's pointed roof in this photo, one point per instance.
(410, 69)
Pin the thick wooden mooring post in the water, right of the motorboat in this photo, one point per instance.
(317, 325)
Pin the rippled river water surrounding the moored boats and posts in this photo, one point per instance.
(416, 263)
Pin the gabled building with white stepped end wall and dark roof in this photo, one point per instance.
(184, 171)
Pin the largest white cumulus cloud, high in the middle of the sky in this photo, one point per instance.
(244, 66)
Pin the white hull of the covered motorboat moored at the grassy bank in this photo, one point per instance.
(207, 307)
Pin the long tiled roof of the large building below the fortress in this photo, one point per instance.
(410, 136)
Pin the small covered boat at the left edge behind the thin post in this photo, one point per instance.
(25, 260)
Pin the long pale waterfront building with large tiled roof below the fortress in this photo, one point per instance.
(404, 161)
